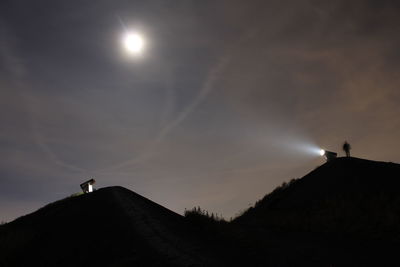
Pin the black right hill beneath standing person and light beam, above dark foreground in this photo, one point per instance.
(346, 195)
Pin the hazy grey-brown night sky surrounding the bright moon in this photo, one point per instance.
(227, 100)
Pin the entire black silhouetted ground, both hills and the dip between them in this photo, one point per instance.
(344, 213)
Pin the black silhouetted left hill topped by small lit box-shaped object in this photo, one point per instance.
(109, 227)
